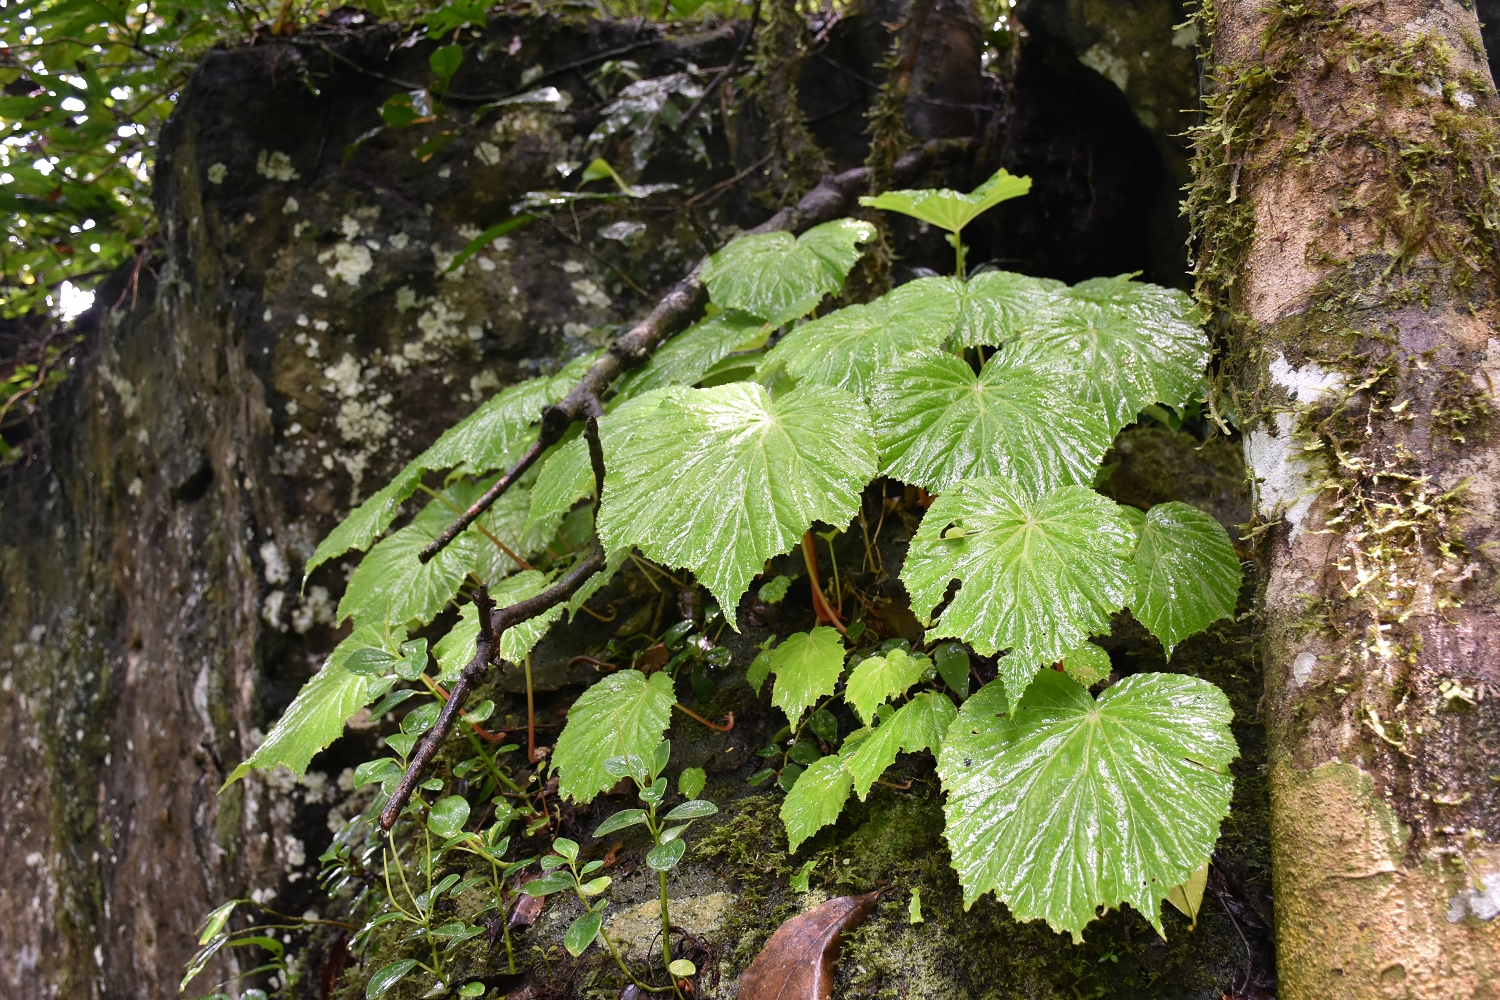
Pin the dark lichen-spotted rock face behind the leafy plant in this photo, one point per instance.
(298, 338)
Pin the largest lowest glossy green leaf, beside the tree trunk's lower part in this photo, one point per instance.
(1075, 804)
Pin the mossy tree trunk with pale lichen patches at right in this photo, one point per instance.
(1348, 206)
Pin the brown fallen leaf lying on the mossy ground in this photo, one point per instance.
(799, 960)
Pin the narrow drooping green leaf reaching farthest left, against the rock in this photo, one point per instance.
(317, 716)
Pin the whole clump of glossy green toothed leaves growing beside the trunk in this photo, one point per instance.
(997, 392)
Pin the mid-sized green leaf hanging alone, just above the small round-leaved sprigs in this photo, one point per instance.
(622, 714)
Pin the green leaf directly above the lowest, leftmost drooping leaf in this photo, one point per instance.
(394, 585)
